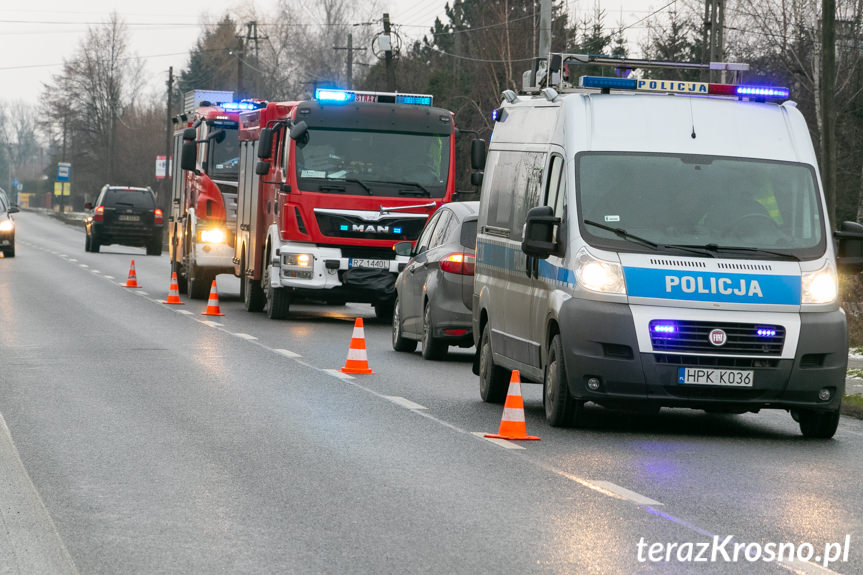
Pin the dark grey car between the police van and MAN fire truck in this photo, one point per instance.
(434, 290)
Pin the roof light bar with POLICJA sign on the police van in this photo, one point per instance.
(681, 87)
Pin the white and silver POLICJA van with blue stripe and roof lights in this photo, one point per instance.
(648, 243)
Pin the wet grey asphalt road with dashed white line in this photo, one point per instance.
(138, 437)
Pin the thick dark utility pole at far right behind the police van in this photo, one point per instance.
(828, 69)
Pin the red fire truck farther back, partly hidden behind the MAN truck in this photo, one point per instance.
(204, 189)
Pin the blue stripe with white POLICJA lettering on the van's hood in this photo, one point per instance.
(709, 286)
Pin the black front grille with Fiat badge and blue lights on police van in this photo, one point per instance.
(679, 336)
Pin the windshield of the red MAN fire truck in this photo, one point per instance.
(374, 163)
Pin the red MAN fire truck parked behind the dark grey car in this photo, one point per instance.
(327, 186)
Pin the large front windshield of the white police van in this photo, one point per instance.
(699, 201)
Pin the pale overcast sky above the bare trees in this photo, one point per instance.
(36, 35)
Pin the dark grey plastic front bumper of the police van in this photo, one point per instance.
(600, 342)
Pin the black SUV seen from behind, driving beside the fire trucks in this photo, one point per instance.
(126, 216)
